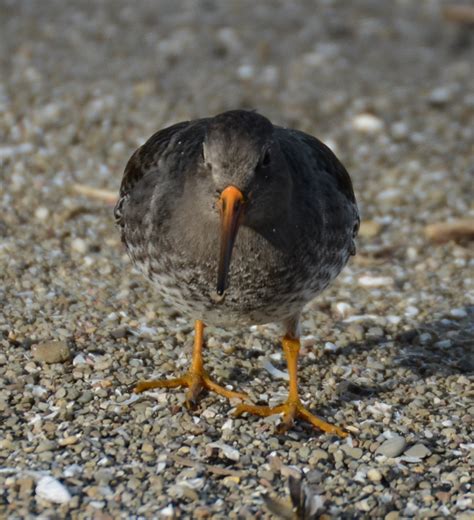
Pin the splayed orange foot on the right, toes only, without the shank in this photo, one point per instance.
(291, 410)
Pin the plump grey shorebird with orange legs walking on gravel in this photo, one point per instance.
(238, 222)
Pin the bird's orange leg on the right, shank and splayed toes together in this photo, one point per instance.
(293, 408)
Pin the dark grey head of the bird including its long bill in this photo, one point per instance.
(250, 179)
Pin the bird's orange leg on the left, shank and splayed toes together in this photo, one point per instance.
(195, 379)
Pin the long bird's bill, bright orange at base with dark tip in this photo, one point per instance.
(231, 203)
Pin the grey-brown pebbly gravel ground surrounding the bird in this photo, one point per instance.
(388, 85)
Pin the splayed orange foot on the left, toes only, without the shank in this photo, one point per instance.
(195, 382)
